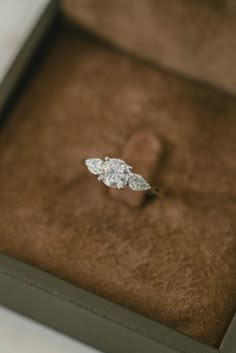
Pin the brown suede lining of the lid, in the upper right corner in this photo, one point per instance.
(194, 37)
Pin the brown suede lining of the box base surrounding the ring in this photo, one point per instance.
(172, 259)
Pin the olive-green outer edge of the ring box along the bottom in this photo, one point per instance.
(90, 318)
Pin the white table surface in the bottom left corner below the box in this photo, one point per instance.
(21, 335)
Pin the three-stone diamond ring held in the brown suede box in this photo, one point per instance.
(115, 173)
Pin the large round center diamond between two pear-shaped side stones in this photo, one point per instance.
(115, 173)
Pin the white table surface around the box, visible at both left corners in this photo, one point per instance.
(18, 334)
